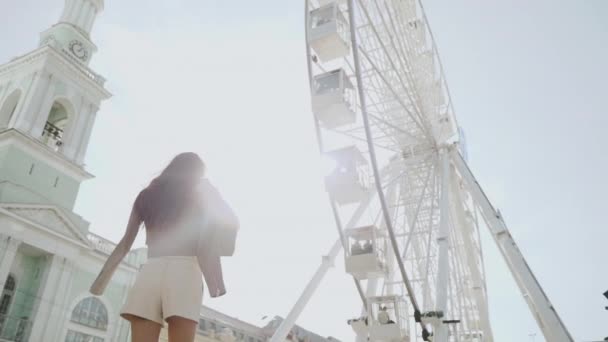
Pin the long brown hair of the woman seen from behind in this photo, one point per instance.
(172, 193)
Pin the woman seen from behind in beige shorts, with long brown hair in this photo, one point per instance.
(188, 227)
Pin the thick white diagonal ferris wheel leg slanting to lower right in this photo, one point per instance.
(543, 311)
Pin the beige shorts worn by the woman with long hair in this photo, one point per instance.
(166, 287)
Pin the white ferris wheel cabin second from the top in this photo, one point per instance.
(333, 99)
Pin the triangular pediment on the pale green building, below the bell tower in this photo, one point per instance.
(49, 217)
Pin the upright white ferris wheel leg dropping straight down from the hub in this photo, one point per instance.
(440, 330)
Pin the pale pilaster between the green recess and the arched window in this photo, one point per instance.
(42, 318)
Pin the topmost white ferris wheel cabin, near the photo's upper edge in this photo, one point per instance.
(328, 32)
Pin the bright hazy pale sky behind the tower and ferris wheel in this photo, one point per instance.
(227, 79)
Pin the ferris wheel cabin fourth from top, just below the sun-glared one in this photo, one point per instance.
(365, 257)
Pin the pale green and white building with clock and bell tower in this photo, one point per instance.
(49, 99)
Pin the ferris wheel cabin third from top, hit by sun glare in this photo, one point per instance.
(348, 182)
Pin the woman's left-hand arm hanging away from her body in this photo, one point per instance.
(121, 250)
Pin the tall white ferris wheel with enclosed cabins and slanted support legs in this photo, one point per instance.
(408, 210)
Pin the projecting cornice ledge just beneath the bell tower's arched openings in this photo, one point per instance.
(43, 152)
